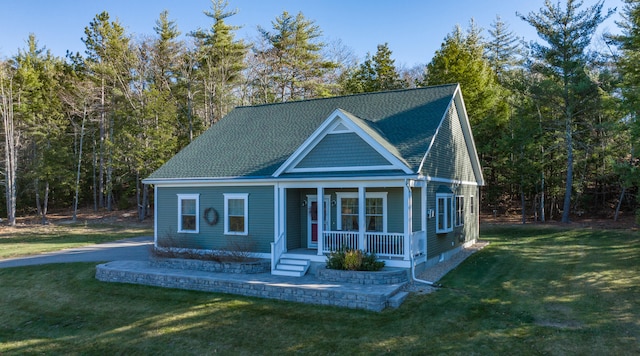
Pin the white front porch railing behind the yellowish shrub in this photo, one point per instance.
(383, 244)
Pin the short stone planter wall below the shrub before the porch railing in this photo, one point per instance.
(363, 277)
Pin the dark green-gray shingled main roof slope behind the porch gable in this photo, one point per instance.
(254, 141)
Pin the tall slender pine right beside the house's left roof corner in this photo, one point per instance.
(150, 137)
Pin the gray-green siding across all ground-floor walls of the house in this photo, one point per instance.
(261, 218)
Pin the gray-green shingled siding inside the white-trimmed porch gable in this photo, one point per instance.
(342, 150)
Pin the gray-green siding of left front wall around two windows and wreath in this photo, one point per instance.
(212, 237)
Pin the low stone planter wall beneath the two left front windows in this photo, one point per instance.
(260, 266)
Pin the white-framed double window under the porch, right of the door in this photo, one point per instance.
(375, 211)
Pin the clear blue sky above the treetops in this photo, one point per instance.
(414, 29)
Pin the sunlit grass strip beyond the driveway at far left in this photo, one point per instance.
(35, 239)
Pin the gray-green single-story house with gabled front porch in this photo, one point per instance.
(395, 173)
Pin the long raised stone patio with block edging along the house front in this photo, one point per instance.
(306, 289)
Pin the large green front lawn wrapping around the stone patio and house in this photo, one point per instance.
(531, 291)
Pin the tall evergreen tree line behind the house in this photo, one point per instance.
(555, 120)
